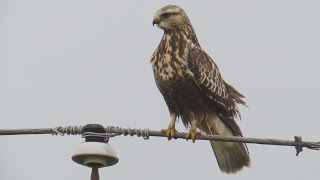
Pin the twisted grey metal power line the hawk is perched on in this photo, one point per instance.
(112, 131)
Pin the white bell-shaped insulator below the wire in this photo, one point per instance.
(95, 154)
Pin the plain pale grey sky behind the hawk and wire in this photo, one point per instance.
(78, 62)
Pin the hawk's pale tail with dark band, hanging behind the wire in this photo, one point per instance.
(231, 156)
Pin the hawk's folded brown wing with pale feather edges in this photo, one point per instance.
(224, 97)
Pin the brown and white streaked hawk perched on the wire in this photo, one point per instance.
(194, 90)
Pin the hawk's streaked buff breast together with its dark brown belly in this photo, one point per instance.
(173, 76)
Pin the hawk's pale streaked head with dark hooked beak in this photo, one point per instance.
(170, 17)
